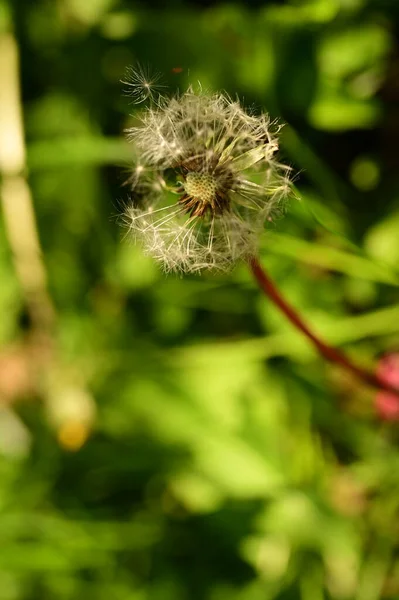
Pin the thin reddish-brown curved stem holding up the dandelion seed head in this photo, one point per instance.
(329, 352)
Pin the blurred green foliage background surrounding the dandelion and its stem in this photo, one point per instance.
(169, 438)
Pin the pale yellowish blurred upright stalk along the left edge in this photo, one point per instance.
(16, 197)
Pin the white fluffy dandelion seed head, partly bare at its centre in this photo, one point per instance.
(206, 183)
